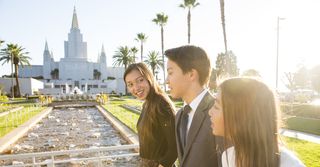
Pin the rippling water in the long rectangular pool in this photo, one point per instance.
(70, 129)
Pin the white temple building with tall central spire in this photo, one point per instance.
(75, 71)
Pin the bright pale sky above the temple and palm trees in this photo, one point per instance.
(251, 27)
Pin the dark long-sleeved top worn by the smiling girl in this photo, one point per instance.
(161, 145)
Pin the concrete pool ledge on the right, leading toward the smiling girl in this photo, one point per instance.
(126, 132)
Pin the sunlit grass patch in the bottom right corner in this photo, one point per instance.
(308, 152)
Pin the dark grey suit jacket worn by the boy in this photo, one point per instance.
(200, 150)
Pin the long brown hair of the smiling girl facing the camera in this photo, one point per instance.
(154, 99)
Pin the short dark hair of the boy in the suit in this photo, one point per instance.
(191, 57)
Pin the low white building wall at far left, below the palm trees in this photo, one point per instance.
(27, 85)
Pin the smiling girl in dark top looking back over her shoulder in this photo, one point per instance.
(157, 120)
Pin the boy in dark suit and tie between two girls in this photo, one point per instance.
(189, 70)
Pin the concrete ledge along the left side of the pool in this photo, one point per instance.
(20, 131)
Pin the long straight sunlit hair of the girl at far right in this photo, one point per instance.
(250, 111)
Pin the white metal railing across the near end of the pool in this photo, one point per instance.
(99, 157)
